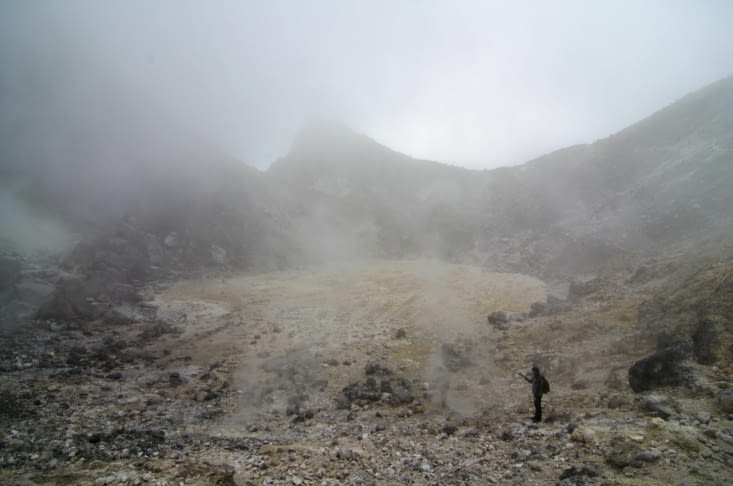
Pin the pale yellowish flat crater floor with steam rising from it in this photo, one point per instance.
(314, 330)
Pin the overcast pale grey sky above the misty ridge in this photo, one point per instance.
(479, 84)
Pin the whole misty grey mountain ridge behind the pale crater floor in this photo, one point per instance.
(663, 183)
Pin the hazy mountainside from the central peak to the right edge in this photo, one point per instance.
(661, 183)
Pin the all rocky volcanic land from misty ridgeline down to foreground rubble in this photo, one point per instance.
(166, 349)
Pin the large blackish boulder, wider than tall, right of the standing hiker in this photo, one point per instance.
(663, 368)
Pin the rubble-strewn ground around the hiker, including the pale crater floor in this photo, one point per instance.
(244, 380)
